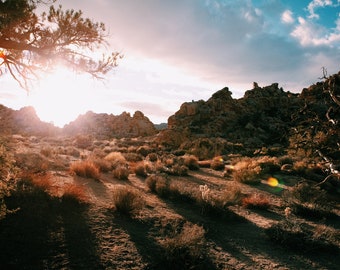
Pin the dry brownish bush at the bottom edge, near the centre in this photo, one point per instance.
(186, 249)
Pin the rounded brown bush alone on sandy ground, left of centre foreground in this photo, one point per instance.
(126, 200)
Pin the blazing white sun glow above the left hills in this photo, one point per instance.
(61, 96)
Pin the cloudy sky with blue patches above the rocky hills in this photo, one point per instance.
(176, 51)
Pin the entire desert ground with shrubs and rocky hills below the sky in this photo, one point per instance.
(249, 183)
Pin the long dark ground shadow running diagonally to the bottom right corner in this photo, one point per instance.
(244, 240)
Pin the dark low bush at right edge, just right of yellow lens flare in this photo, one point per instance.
(308, 201)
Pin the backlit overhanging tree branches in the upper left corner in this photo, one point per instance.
(30, 43)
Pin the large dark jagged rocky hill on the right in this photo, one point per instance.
(265, 117)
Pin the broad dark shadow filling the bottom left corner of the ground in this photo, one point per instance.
(45, 234)
